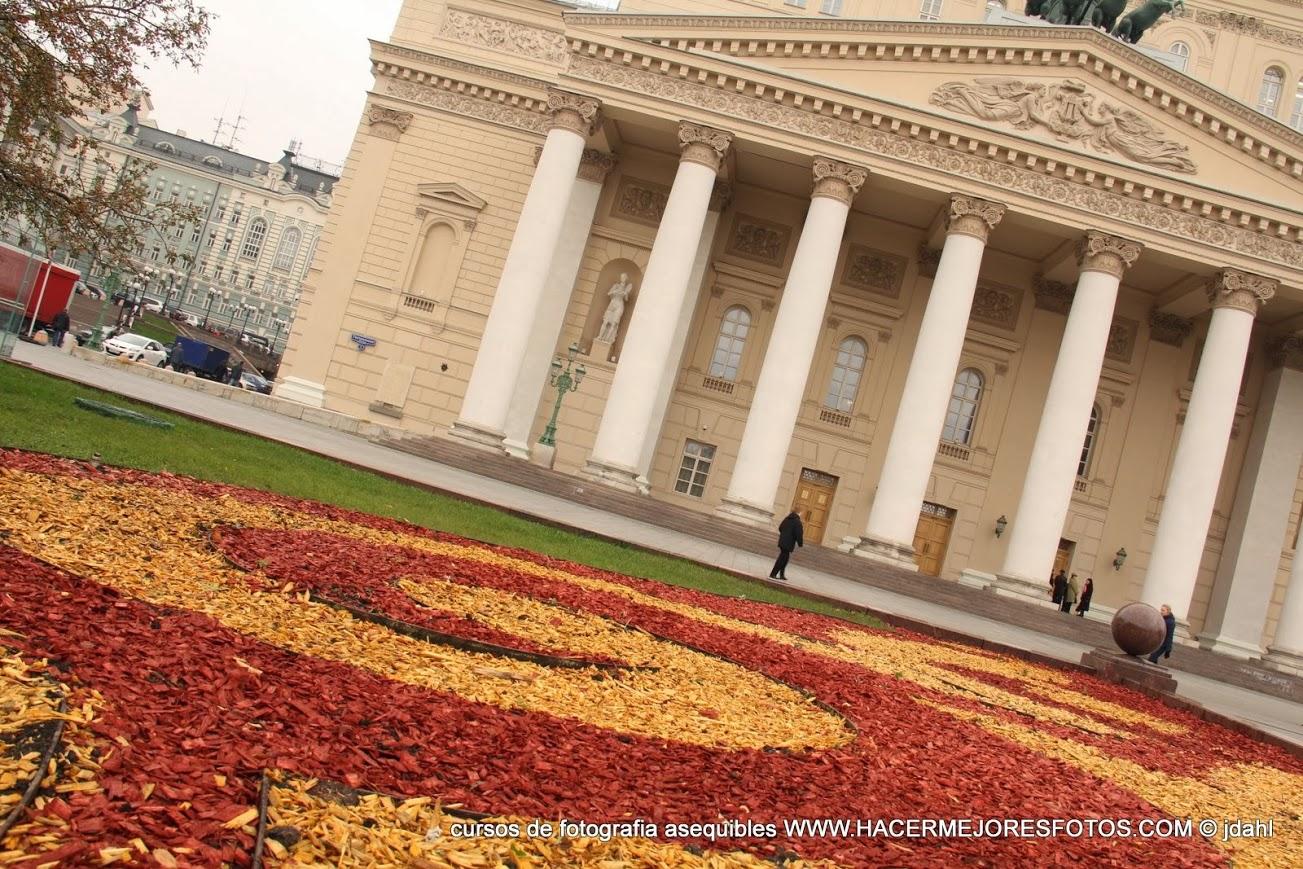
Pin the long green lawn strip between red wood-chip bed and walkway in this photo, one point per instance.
(37, 412)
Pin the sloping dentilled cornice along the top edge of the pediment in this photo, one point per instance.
(934, 42)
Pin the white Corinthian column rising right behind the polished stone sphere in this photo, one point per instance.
(1188, 506)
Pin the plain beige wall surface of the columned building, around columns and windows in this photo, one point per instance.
(369, 247)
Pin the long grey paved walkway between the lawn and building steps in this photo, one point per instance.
(1276, 716)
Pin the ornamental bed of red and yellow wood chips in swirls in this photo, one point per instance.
(209, 635)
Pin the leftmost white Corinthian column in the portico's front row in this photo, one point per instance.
(515, 304)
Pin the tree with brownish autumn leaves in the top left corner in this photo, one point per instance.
(59, 59)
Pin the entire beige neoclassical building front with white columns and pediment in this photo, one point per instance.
(979, 298)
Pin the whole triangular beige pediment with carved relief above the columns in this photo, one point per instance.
(1055, 93)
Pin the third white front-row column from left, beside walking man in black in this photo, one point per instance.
(792, 349)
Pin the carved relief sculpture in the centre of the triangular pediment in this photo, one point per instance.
(1070, 113)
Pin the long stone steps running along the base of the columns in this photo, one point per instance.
(1024, 614)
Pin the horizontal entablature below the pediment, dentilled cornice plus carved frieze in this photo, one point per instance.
(1068, 182)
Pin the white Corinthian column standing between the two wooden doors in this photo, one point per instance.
(889, 536)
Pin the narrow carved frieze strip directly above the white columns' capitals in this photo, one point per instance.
(996, 174)
